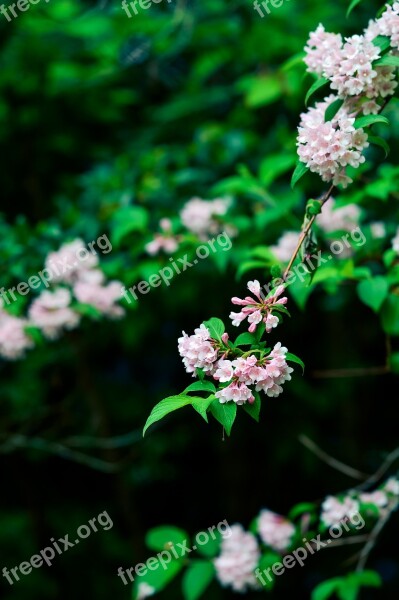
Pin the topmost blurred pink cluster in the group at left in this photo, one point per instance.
(70, 261)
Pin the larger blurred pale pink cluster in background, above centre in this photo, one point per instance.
(203, 217)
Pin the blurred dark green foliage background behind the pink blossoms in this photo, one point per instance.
(108, 124)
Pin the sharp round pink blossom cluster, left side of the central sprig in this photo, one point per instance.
(198, 351)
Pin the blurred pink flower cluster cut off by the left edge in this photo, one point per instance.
(13, 340)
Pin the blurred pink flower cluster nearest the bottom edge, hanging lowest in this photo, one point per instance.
(238, 560)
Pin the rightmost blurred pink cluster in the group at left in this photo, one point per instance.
(90, 289)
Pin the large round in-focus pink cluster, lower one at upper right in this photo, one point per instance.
(328, 147)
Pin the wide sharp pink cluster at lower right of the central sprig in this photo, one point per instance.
(267, 374)
